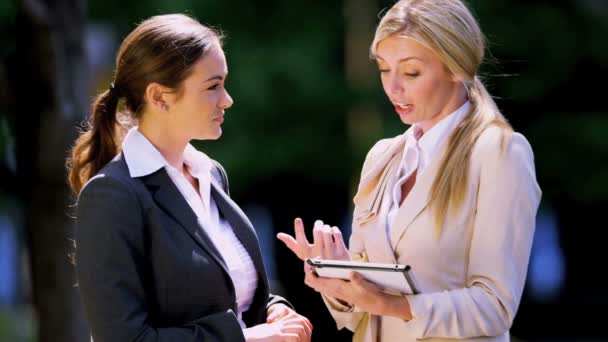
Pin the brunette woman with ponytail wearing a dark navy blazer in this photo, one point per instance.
(162, 251)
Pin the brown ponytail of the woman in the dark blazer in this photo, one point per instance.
(96, 145)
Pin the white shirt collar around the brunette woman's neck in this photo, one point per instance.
(143, 158)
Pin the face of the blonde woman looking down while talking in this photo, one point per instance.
(422, 90)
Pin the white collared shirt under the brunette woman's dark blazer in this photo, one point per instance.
(143, 158)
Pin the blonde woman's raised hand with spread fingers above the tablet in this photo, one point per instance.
(327, 244)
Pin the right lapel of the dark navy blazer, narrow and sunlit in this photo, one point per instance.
(242, 228)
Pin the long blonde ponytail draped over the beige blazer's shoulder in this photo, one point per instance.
(449, 188)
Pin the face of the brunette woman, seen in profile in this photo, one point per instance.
(199, 112)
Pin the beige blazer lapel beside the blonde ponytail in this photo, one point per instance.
(415, 202)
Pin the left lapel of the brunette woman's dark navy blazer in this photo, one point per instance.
(168, 198)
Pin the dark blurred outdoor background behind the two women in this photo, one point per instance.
(308, 106)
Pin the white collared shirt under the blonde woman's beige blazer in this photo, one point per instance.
(420, 149)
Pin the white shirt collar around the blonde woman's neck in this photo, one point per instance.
(430, 142)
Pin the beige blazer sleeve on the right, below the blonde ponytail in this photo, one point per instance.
(507, 202)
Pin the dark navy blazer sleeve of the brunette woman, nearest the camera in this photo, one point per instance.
(111, 260)
